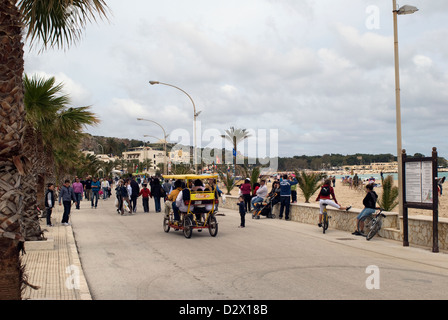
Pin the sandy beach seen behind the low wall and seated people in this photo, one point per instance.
(347, 196)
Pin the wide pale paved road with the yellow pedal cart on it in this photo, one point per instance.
(131, 257)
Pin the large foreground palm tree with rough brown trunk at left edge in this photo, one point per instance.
(49, 22)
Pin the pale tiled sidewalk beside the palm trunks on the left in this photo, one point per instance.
(54, 265)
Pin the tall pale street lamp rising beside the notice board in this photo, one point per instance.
(406, 9)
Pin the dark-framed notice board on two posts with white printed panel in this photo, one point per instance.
(420, 191)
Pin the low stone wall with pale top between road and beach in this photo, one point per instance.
(420, 227)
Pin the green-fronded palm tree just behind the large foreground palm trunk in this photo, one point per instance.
(60, 128)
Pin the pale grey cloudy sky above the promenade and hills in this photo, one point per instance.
(315, 77)
